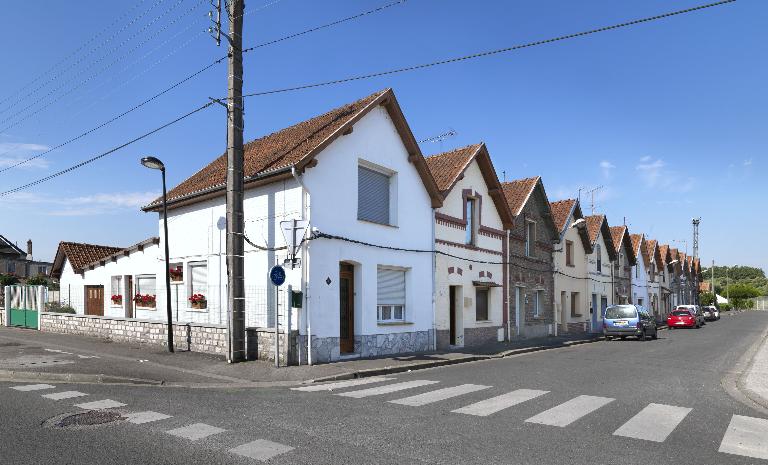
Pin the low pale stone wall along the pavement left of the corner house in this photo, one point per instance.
(211, 339)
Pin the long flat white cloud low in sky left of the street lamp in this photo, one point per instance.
(89, 205)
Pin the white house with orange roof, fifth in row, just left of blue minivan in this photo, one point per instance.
(600, 284)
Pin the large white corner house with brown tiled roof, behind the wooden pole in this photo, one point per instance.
(358, 176)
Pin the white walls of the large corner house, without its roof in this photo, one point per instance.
(329, 200)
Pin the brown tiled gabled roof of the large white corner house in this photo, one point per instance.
(272, 157)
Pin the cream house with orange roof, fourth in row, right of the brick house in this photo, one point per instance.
(572, 304)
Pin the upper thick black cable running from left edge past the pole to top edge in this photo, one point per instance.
(191, 76)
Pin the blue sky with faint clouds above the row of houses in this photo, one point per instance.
(667, 117)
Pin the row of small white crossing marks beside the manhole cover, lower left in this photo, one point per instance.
(261, 449)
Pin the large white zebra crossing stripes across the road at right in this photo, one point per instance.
(745, 436)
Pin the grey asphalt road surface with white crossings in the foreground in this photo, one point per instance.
(581, 405)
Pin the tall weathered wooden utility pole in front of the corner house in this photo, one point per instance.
(235, 217)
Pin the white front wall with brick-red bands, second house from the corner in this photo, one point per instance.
(470, 297)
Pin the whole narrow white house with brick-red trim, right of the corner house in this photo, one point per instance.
(471, 280)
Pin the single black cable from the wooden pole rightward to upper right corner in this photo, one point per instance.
(487, 53)
